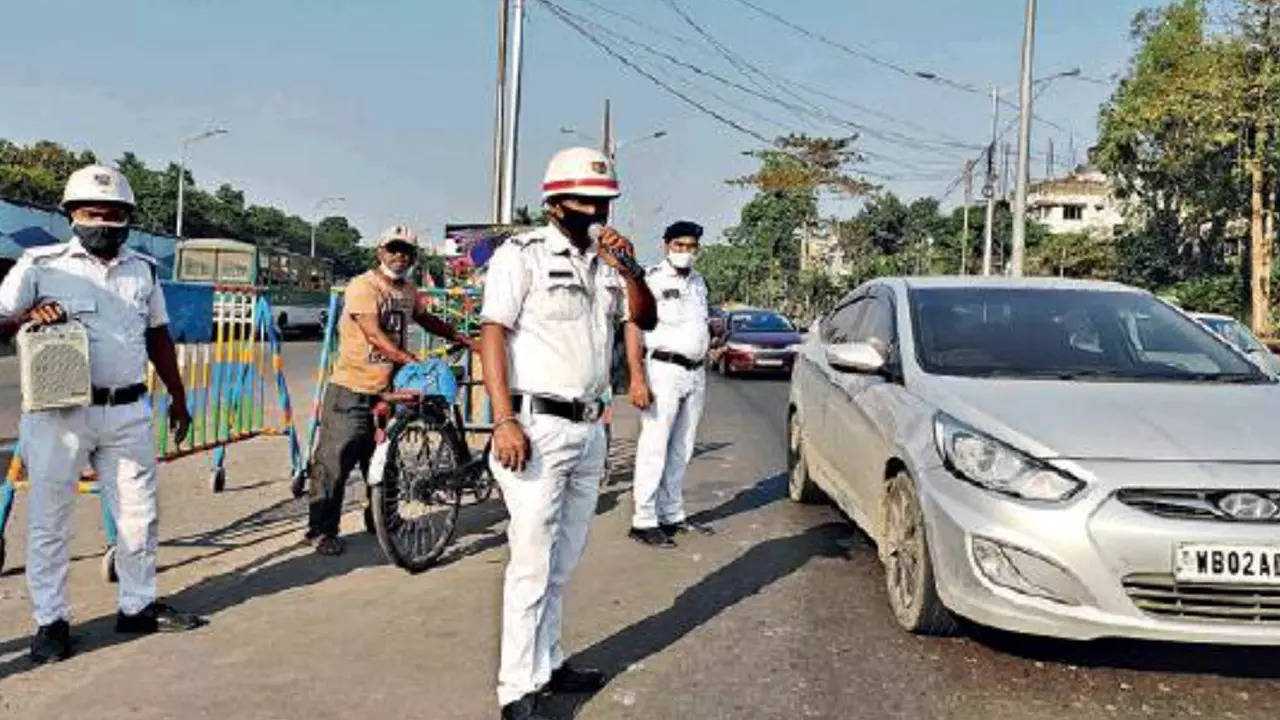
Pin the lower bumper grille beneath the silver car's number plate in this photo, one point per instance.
(1160, 596)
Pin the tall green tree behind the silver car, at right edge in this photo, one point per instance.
(1190, 136)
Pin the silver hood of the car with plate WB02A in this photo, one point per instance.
(1164, 422)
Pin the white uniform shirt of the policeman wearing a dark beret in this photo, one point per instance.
(682, 313)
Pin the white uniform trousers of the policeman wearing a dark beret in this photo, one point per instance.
(669, 430)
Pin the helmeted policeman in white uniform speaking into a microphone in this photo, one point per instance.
(552, 300)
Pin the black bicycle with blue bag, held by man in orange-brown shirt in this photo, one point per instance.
(420, 471)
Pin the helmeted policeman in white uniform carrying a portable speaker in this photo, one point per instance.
(115, 293)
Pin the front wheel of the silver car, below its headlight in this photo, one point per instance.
(909, 580)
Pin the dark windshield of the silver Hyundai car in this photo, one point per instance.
(1067, 335)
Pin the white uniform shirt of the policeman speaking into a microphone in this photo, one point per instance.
(560, 307)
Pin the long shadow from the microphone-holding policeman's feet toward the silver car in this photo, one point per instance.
(749, 575)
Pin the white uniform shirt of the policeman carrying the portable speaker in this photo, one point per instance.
(116, 302)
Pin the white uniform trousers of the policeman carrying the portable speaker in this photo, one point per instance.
(56, 446)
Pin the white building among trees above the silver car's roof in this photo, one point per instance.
(1081, 202)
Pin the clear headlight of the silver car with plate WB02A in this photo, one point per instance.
(994, 466)
